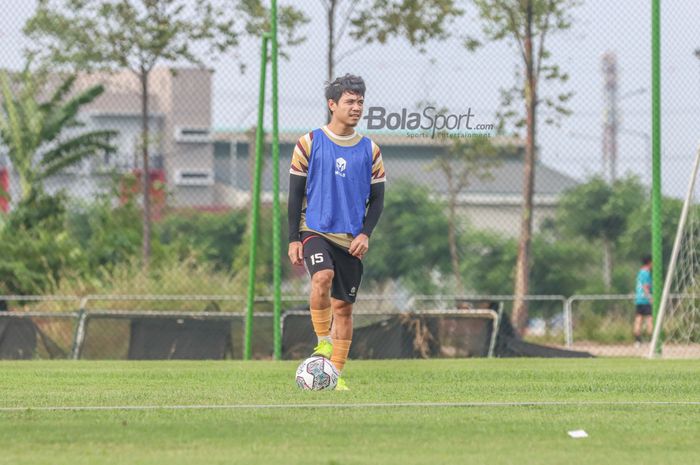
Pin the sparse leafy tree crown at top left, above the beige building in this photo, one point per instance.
(128, 34)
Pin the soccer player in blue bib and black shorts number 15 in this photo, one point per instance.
(336, 196)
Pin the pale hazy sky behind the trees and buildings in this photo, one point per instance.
(448, 75)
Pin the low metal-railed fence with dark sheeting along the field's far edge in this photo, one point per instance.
(142, 327)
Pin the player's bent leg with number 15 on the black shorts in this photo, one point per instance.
(319, 264)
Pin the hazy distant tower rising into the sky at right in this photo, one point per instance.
(610, 114)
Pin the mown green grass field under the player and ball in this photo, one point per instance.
(508, 411)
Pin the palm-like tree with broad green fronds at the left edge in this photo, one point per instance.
(34, 131)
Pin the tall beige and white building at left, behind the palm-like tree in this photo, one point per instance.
(180, 146)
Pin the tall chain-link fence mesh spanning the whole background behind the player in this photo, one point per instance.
(75, 220)
